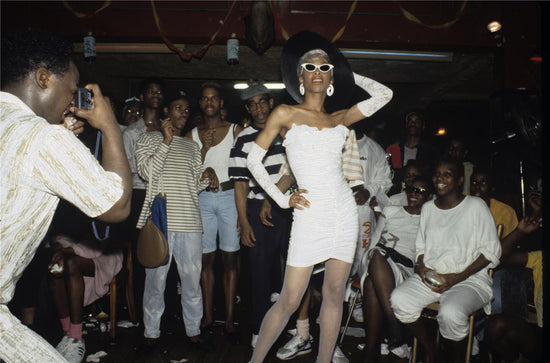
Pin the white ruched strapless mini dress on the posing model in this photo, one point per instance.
(329, 227)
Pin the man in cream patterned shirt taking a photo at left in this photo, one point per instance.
(41, 162)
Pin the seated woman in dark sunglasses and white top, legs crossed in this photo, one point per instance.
(388, 263)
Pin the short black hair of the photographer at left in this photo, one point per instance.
(29, 49)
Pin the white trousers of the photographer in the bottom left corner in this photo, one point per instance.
(20, 344)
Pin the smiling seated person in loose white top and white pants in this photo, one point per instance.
(456, 244)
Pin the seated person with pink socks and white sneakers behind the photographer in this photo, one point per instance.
(80, 273)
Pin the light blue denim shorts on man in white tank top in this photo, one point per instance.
(219, 215)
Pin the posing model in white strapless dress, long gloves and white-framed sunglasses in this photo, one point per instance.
(325, 225)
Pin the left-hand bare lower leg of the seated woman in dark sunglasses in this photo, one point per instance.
(373, 321)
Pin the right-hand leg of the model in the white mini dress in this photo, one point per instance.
(334, 286)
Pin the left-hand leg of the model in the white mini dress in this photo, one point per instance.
(295, 284)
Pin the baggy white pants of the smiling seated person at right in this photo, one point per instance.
(455, 305)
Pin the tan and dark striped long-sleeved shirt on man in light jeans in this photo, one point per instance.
(176, 171)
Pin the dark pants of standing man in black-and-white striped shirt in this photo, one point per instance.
(265, 257)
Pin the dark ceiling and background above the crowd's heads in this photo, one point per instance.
(457, 94)
